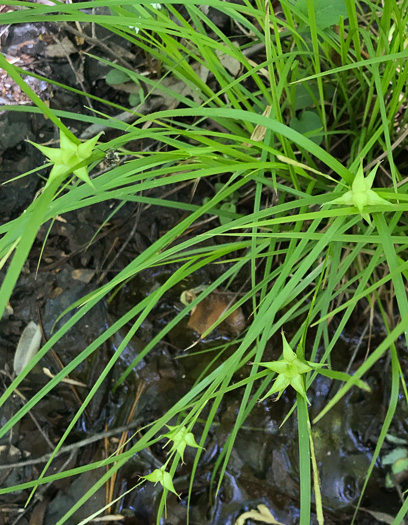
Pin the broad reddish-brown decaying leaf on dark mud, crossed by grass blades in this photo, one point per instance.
(211, 308)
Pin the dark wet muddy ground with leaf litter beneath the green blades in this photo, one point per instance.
(264, 465)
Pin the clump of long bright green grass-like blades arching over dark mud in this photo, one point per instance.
(319, 105)
